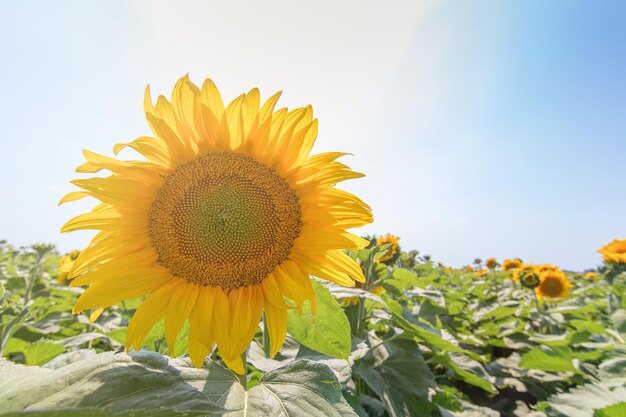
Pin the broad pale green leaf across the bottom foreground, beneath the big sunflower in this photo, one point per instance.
(119, 383)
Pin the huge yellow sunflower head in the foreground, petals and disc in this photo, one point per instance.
(227, 216)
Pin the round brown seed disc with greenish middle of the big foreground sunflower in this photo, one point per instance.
(223, 220)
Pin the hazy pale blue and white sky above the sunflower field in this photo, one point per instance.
(493, 128)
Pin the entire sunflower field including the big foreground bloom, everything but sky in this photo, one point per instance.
(225, 279)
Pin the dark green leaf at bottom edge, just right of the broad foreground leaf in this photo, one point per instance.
(396, 372)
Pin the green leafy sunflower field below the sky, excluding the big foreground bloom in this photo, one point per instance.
(416, 339)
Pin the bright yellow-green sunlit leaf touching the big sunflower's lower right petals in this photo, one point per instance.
(327, 332)
